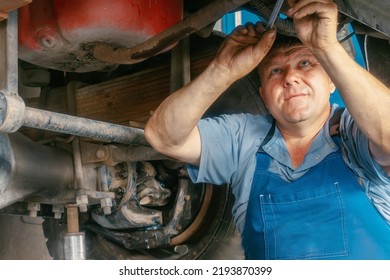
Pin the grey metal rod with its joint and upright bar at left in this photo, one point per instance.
(14, 113)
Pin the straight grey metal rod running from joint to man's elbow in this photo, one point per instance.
(42, 119)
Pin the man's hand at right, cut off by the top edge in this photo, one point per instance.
(315, 22)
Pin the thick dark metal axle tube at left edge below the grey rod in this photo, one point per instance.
(27, 168)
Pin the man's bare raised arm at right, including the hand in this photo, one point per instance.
(367, 99)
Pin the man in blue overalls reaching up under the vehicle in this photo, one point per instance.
(302, 190)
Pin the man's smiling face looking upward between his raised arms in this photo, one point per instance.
(294, 85)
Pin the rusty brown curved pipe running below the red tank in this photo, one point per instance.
(199, 19)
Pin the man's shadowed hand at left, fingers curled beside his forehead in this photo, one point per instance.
(243, 50)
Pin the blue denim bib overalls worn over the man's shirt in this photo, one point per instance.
(325, 214)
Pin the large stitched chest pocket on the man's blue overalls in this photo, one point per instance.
(304, 225)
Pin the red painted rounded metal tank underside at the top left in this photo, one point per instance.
(59, 33)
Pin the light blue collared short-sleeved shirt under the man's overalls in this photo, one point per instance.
(230, 143)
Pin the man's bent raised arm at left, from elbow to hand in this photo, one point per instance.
(172, 129)
